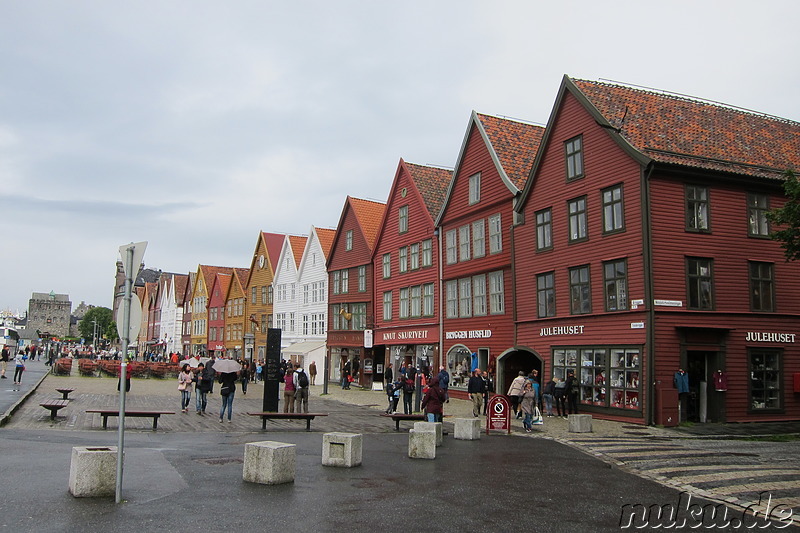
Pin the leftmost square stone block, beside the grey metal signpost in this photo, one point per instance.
(93, 471)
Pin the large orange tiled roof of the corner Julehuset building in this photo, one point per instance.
(695, 133)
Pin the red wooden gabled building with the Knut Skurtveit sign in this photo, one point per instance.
(406, 268)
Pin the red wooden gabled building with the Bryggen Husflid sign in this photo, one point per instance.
(477, 277)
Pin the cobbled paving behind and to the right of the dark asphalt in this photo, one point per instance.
(732, 471)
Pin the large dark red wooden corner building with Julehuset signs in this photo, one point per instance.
(643, 250)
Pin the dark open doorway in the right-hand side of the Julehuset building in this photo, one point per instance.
(705, 404)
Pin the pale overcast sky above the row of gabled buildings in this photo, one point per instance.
(194, 125)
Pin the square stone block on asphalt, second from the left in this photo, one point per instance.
(269, 462)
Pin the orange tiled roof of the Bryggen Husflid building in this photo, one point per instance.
(515, 144)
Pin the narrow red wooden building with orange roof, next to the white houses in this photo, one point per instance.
(350, 289)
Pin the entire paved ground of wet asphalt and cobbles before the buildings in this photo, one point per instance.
(648, 465)
